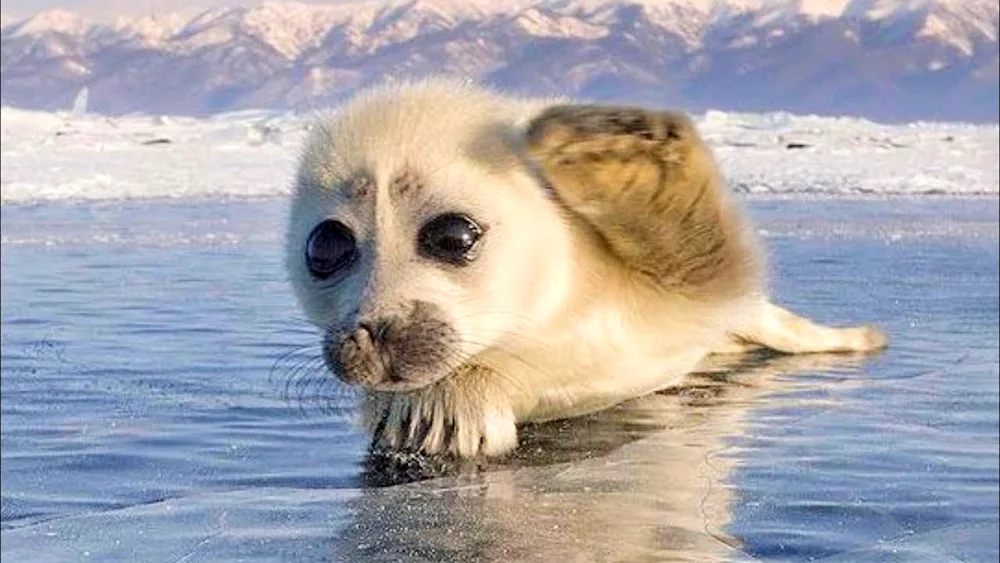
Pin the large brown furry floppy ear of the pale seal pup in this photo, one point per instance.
(647, 183)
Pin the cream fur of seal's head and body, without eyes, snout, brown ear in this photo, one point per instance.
(551, 325)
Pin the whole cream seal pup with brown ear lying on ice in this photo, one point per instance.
(476, 261)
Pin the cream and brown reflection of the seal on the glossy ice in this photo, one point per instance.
(644, 481)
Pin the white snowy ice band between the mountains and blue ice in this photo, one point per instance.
(65, 157)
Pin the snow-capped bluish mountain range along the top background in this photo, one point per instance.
(885, 60)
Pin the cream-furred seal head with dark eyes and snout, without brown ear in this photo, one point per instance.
(418, 236)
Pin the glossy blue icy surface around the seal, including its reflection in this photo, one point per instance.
(147, 417)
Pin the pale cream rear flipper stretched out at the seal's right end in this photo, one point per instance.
(779, 329)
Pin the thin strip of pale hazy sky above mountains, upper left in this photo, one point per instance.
(109, 9)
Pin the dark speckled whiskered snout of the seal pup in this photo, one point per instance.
(392, 353)
